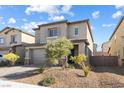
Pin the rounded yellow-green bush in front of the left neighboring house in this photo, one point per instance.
(11, 57)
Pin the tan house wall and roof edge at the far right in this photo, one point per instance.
(117, 42)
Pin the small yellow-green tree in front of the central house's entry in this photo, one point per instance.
(80, 60)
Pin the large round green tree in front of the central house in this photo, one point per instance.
(59, 49)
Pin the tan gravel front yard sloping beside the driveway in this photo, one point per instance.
(101, 77)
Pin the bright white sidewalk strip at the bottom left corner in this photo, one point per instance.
(10, 84)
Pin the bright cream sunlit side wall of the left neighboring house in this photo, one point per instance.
(27, 38)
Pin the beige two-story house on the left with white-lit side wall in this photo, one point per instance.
(13, 39)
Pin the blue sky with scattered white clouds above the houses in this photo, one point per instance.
(103, 19)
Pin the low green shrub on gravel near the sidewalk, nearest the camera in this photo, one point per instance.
(47, 81)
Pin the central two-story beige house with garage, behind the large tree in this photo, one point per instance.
(78, 32)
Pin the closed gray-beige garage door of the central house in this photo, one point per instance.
(39, 56)
